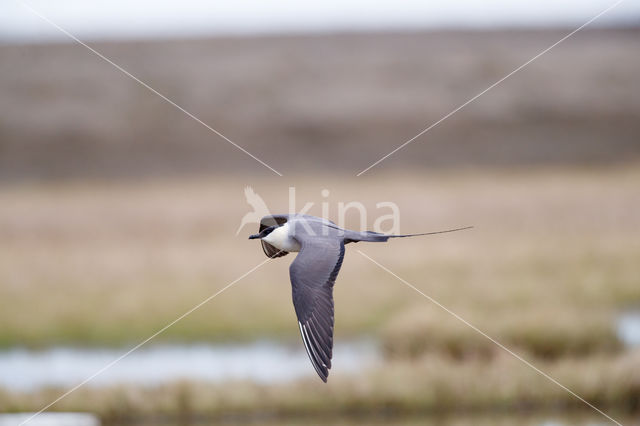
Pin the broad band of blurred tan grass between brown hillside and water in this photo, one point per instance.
(552, 251)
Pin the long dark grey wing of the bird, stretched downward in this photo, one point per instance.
(313, 274)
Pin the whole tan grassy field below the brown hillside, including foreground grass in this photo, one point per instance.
(553, 258)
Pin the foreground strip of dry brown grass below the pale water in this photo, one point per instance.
(429, 385)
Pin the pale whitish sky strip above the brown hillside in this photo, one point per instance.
(121, 19)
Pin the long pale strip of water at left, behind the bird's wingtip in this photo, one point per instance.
(262, 362)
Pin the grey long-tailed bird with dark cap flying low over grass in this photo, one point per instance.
(313, 272)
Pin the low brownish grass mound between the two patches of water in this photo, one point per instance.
(419, 330)
